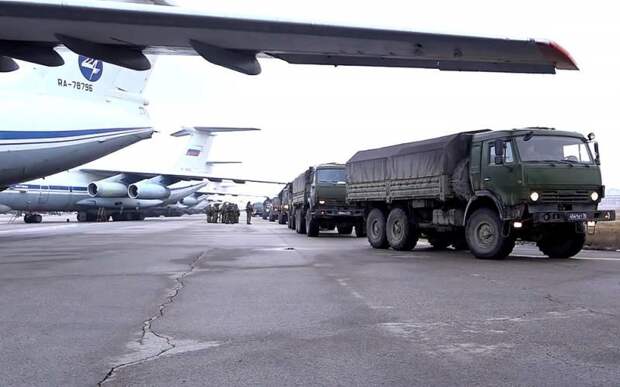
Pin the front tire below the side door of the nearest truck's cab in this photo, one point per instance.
(485, 237)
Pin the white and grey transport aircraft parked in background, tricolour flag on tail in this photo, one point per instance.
(97, 194)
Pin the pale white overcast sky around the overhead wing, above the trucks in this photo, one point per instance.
(313, 114)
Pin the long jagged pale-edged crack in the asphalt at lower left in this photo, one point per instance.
(166, 343)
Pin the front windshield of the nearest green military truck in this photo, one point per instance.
(554, 148)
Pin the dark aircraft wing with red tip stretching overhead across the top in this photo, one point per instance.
(122, 34)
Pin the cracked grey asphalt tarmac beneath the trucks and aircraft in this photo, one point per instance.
(170, 302)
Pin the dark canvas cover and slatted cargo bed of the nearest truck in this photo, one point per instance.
(417, 169)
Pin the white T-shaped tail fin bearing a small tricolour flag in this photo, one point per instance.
(195, 158)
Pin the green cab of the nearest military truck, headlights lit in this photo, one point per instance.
(544, 185)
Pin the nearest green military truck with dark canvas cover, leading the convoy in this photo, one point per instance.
(482, 191)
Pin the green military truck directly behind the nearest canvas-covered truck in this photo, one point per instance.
(319, 202)
